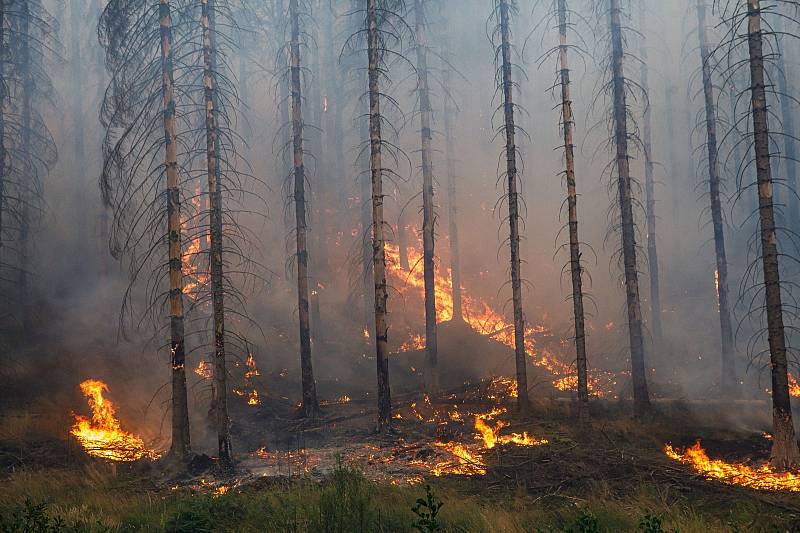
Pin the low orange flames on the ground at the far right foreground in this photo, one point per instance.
(760, 478)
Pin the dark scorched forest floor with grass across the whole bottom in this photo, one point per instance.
(608, 475)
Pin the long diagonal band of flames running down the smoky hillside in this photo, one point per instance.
(479, 315)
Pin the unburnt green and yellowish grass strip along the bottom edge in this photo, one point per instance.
(93, 500)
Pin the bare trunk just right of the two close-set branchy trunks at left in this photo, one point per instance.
(310, 406)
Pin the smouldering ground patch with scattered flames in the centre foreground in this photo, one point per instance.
(451, 434)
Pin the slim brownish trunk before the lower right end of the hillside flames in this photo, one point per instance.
(572, 205)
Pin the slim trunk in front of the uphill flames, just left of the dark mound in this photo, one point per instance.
(428, 214)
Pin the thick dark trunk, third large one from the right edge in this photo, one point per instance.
(641, 399)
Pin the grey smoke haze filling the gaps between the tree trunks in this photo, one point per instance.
(78, 287)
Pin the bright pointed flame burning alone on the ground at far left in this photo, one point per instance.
(101, 435)
